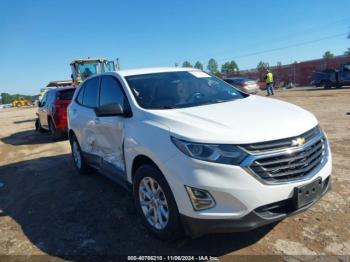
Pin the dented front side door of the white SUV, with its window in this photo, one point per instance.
(110, 129)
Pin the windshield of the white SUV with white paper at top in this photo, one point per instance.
(180, 89)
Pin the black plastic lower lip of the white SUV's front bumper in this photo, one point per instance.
(261, 216)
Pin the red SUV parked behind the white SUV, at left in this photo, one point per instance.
(52, 111)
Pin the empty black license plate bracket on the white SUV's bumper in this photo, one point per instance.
(306, 194)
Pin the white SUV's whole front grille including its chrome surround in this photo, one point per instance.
(289, 164)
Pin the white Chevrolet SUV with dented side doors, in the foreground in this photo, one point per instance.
(199, 155)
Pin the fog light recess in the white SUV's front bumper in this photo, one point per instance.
(200, 199)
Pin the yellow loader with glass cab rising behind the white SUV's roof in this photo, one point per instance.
(83, 68)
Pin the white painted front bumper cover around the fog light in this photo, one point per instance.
(236, 192)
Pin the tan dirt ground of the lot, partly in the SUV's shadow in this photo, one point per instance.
(47, 208)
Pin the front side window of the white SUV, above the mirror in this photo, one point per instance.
(111, 91)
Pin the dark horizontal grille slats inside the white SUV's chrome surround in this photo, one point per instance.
(293, 165)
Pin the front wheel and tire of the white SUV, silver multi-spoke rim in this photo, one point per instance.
(163, 202)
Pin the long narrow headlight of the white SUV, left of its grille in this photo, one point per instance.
(225, 154)
